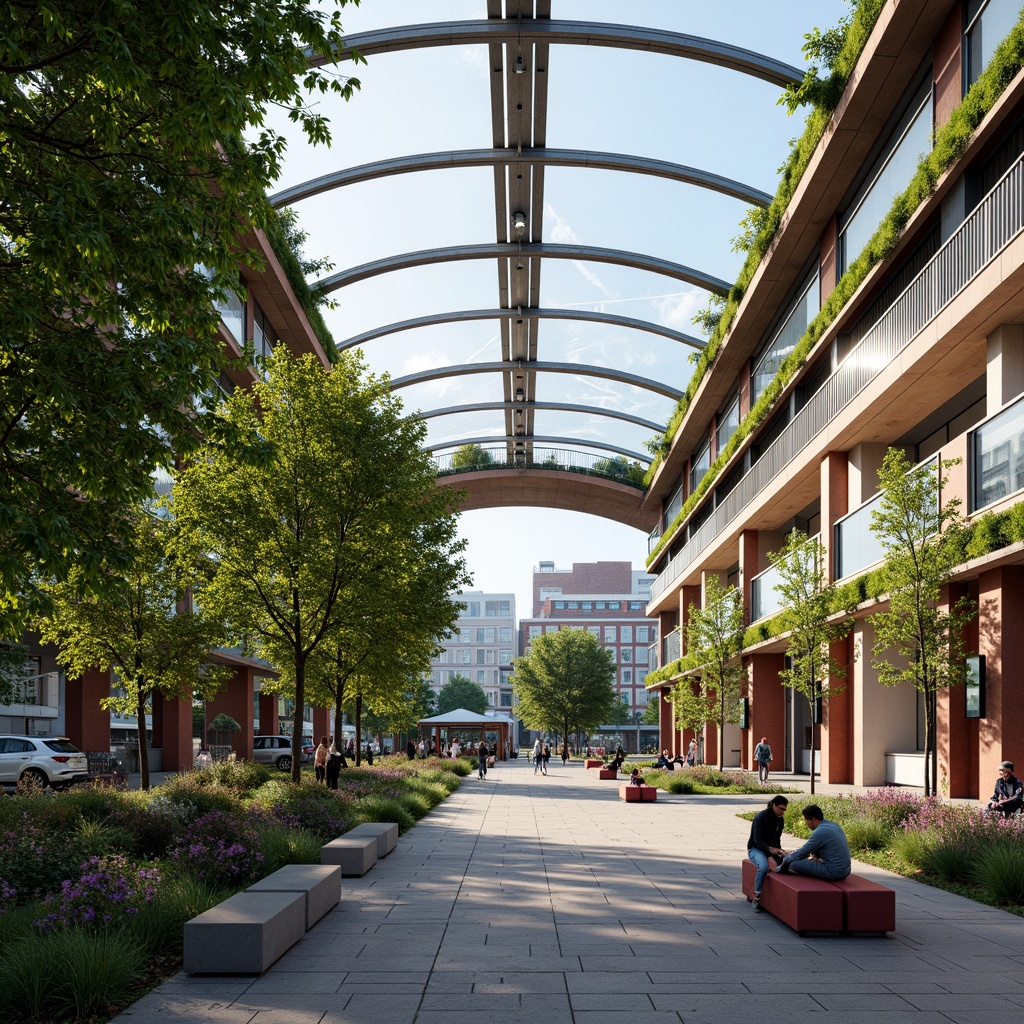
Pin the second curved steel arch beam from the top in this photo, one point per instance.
(543, 157)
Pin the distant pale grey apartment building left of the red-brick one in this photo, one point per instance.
(482, 648)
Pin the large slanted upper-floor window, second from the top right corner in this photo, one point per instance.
(891, 174)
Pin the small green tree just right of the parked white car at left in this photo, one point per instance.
(143, 625)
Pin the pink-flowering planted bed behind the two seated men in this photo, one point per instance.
(952, 846)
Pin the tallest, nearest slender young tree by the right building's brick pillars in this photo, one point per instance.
(919, 638)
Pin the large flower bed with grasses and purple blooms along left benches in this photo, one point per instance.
(96, 885)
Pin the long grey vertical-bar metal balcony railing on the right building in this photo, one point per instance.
(993, 225)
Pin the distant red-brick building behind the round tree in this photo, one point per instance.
(610, 601)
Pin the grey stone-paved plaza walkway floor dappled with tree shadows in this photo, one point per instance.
(526, 899)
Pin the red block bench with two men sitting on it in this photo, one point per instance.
(856, 905)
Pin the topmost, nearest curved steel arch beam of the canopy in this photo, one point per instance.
(546, 32)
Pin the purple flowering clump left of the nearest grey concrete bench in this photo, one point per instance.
(108, 892)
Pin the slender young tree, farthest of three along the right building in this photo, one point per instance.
(714, 639)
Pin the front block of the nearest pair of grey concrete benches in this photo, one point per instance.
(245, 934)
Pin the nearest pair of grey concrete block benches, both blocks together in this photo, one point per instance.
(248, 932)
